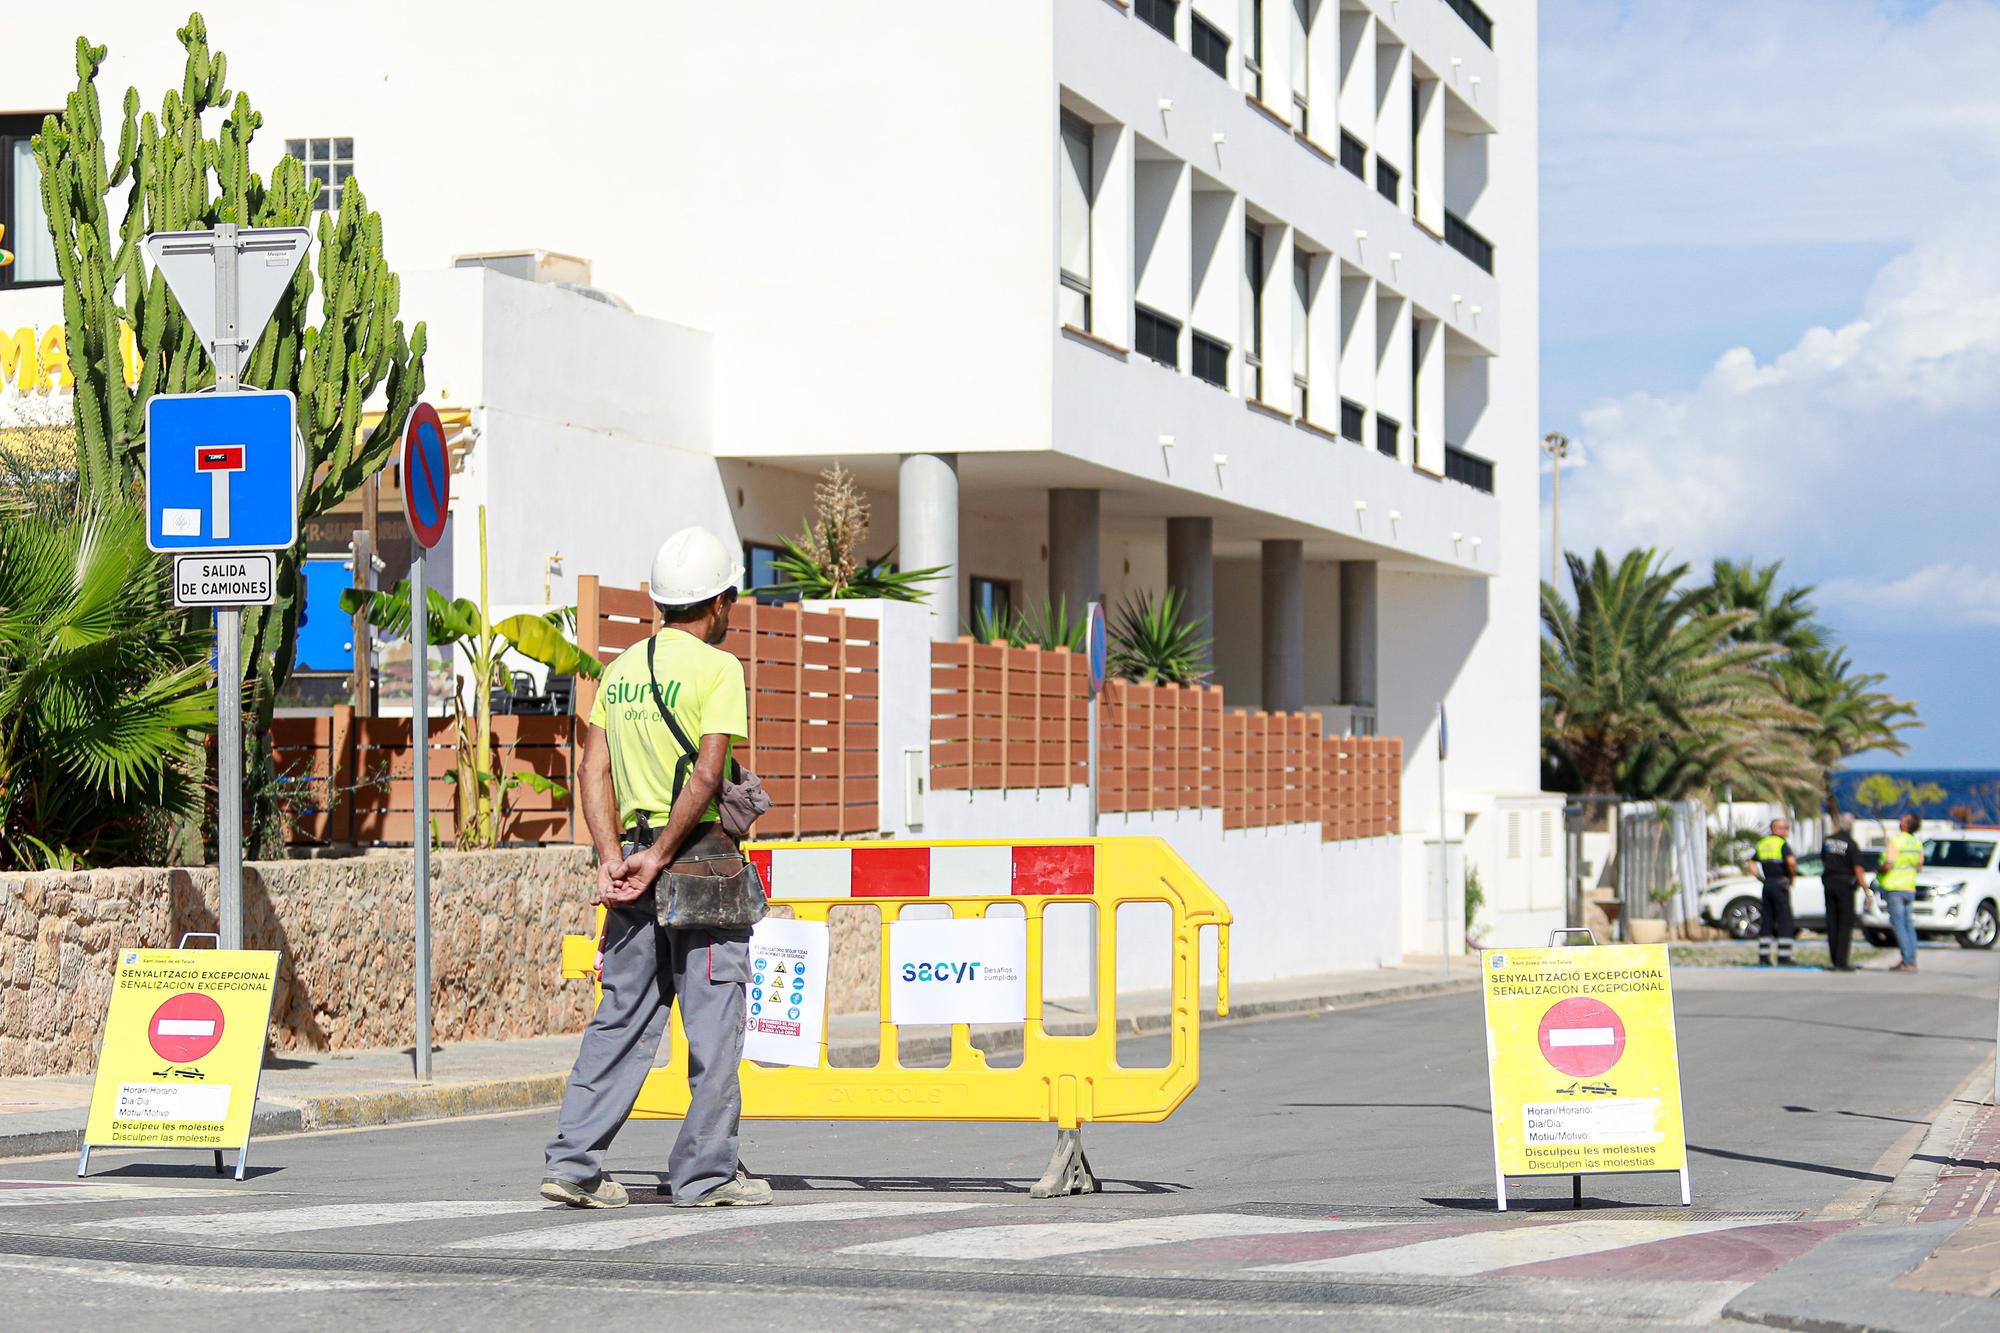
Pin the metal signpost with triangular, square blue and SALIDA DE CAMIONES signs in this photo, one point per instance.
(223, 477)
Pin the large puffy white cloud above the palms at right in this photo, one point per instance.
(1867, 457)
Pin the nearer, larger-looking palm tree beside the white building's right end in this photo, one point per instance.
(1649, 692)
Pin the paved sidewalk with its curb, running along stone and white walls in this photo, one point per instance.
(339, 1090)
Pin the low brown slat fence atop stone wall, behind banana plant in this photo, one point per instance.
(353, 782)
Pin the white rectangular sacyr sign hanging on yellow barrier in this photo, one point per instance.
(959, 972)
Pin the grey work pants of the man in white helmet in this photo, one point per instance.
(645, 970)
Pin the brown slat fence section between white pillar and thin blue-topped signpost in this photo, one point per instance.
(1007, 718)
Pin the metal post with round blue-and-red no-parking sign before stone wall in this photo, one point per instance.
(427, 497)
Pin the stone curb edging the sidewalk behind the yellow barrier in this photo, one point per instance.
(453, 1100)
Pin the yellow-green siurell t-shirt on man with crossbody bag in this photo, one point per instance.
(703, 686)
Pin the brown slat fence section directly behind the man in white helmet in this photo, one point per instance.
(815, 704)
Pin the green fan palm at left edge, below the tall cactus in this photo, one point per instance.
(105, 688)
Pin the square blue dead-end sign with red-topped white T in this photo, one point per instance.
(223, 471)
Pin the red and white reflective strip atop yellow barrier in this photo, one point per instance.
(889, 872)
